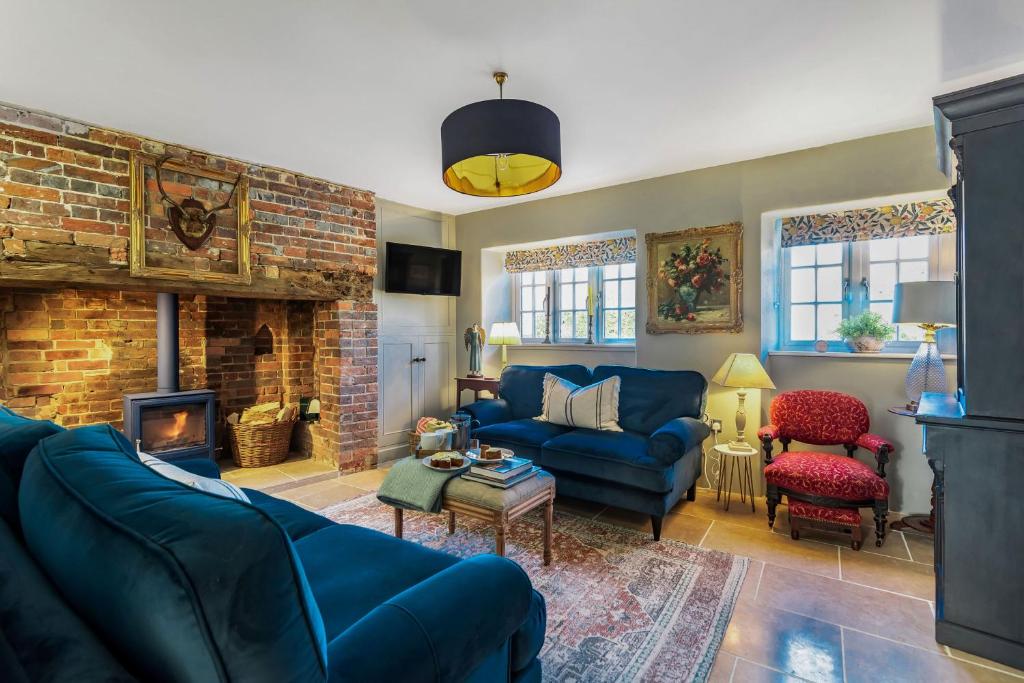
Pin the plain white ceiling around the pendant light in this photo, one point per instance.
(356, 92)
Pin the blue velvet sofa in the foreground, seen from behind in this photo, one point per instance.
(110, 572)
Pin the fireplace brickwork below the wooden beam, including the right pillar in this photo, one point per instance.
(70, 356)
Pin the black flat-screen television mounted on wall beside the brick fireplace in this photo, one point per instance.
(416, 270)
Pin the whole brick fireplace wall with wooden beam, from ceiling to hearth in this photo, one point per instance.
(77, 331)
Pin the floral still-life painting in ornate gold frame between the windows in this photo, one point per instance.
(696, 280)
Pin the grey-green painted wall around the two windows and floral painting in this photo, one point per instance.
(879, 166)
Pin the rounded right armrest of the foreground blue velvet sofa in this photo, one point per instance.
(439, 630)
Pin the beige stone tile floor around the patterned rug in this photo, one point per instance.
(809, 611)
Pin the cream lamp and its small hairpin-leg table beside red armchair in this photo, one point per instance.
(743, 372)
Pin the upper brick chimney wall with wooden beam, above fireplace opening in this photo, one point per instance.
(65, 199)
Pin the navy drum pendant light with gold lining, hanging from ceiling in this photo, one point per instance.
(501, 148)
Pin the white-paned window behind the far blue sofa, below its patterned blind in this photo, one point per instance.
(615, 318)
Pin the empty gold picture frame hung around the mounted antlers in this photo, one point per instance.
(138, 243)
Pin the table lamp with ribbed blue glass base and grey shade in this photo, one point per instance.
(931, 306)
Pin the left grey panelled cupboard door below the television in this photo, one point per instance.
(401, 395)
